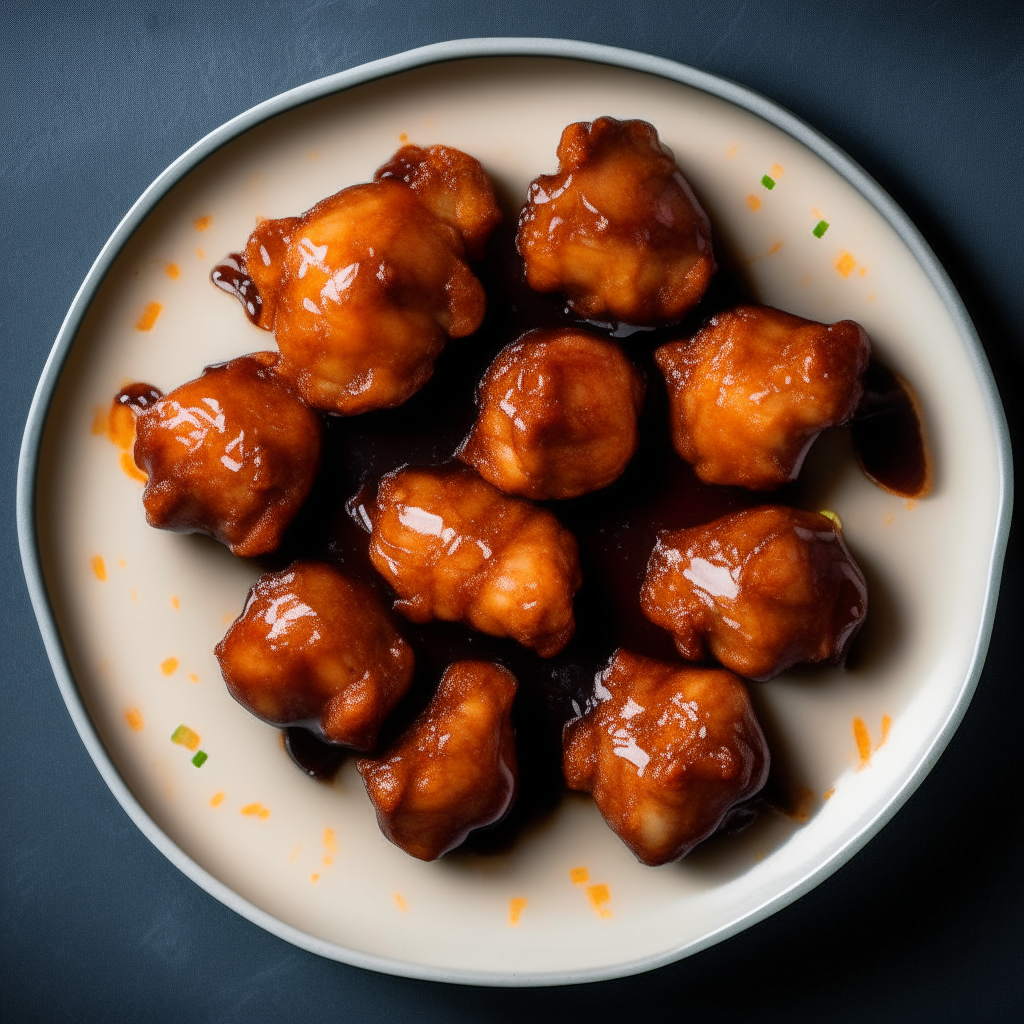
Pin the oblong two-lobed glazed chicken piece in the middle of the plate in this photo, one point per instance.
(456, 548)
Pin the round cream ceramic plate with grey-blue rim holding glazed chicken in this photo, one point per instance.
(131, 615)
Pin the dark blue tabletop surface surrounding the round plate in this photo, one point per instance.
(925, 924)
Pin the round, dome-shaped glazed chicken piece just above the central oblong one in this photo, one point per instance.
(558, 416)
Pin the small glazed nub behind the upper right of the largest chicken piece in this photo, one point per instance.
(453, 186)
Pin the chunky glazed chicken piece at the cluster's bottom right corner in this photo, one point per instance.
(667, 752)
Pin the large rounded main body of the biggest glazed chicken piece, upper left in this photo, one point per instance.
(373, 287)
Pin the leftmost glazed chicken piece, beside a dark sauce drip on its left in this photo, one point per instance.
(232, 454)
